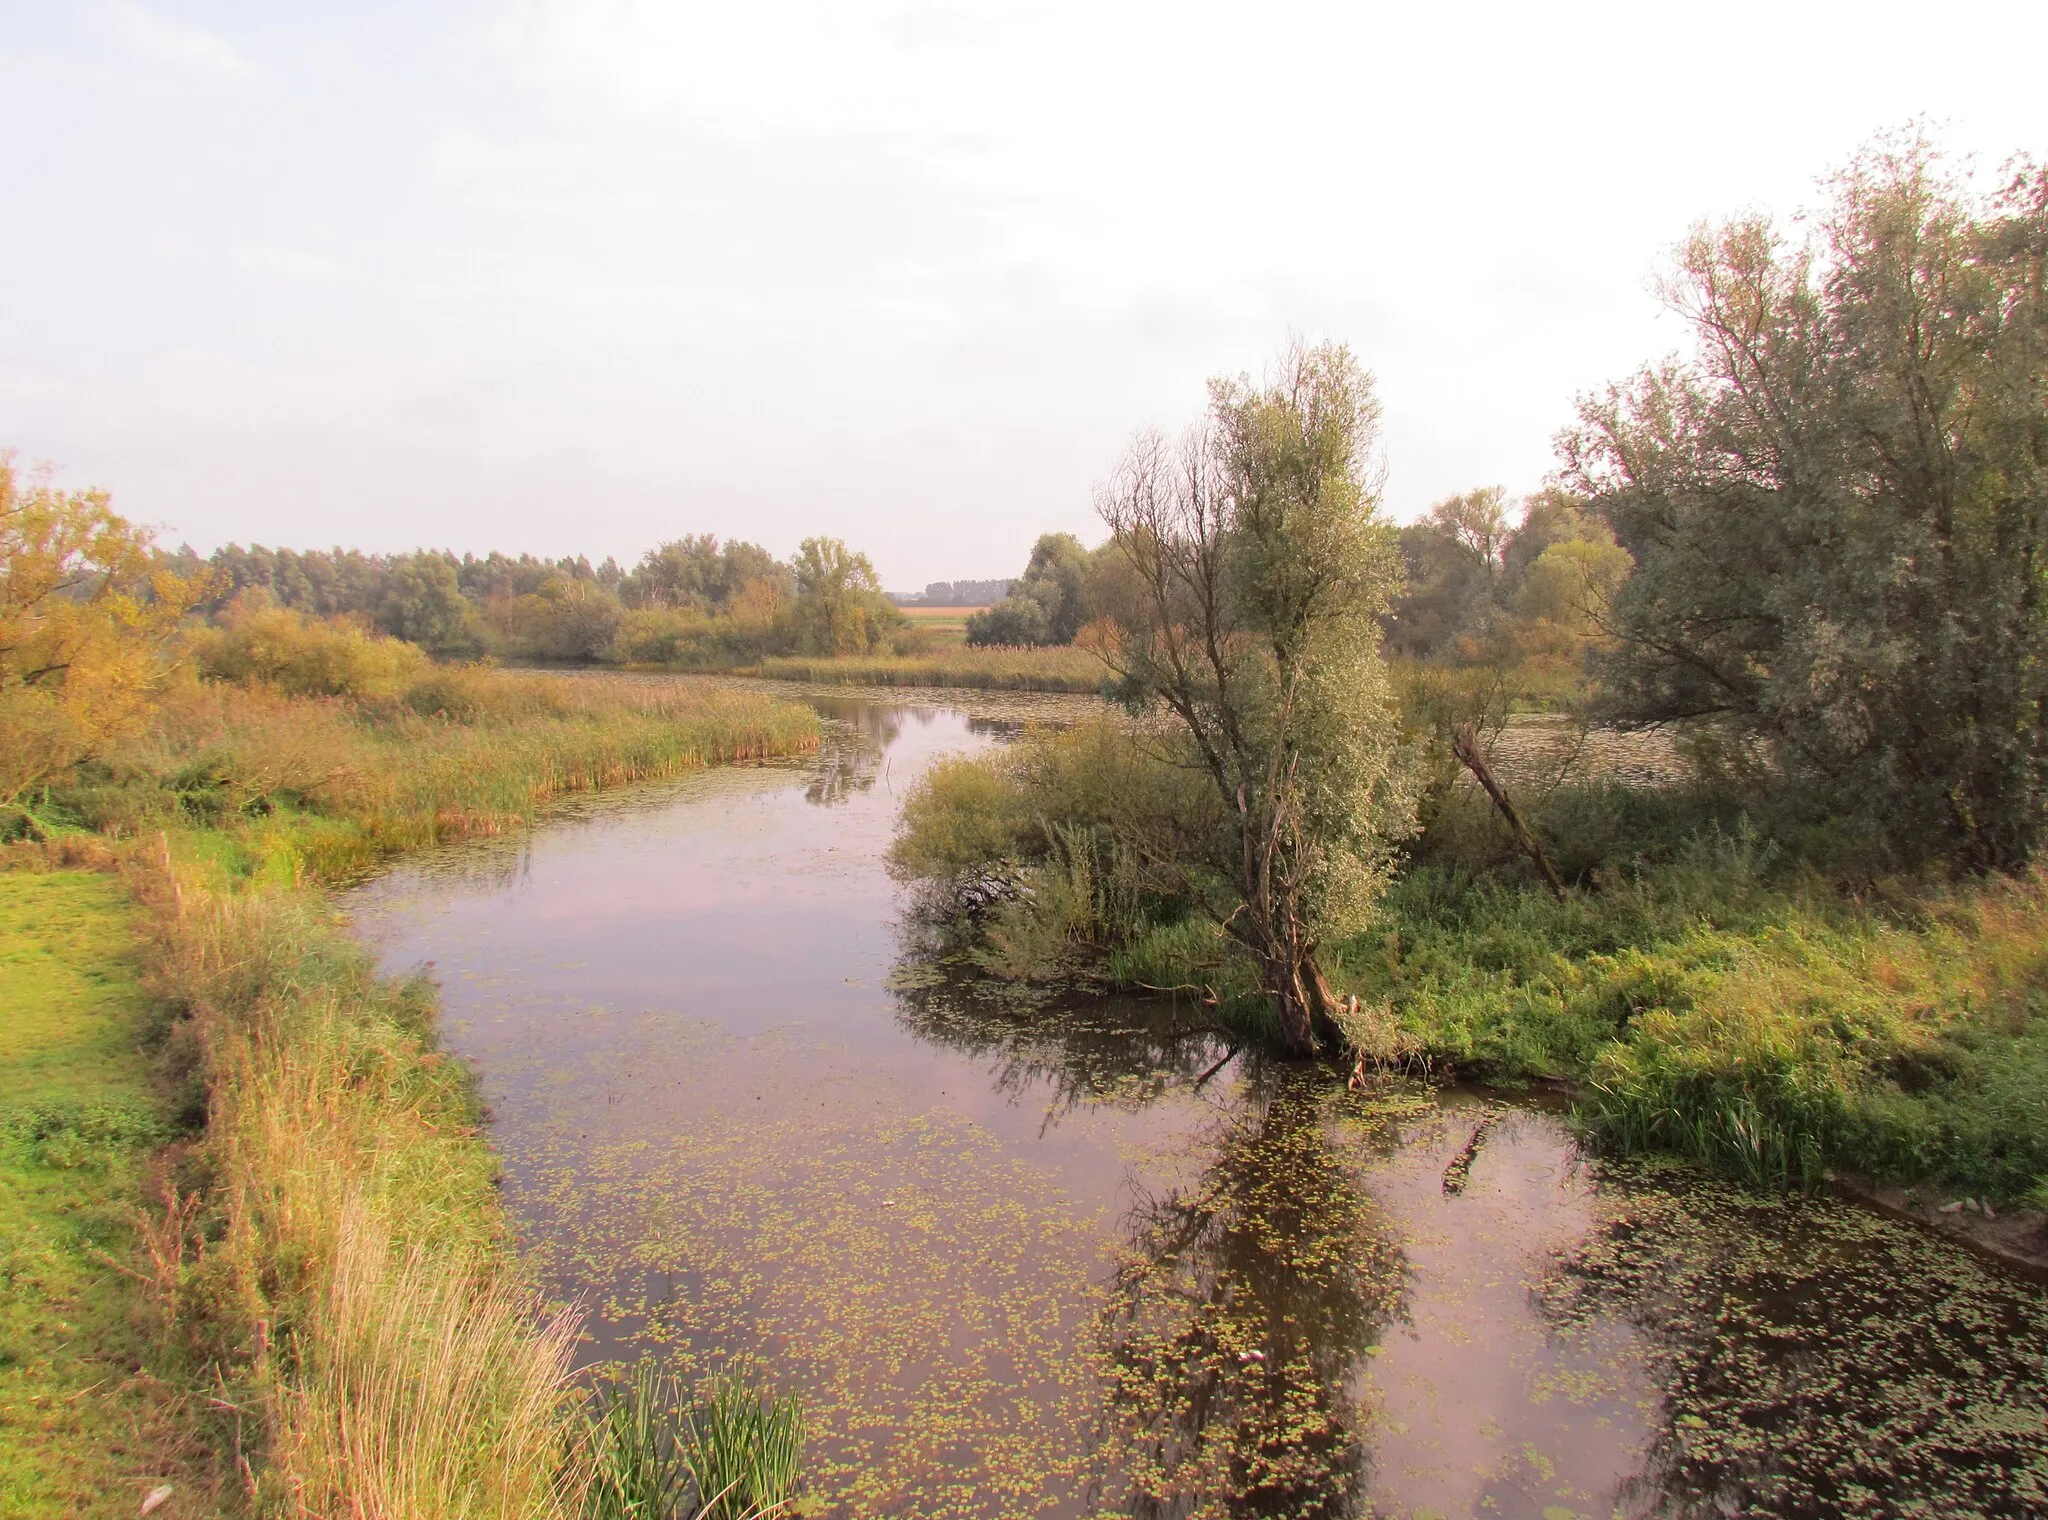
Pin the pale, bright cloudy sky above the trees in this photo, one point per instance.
(585, 276)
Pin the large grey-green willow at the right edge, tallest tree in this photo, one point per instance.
(1838, 507)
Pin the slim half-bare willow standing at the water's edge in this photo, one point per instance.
(1254, 575)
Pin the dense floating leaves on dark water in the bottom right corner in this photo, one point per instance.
(1818, 1359)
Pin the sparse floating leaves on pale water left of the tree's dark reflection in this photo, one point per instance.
(925, 1290)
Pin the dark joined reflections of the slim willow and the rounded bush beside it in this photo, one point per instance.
(1244, 1304)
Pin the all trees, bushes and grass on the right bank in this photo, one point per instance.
(1809, 564)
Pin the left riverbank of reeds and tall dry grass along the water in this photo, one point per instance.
(318, 1277)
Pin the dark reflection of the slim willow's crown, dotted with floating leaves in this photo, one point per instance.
(1240, 1322)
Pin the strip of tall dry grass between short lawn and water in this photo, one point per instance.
(343, 1279)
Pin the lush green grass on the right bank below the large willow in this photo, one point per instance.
(1746, 1017)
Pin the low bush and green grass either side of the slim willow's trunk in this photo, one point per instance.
(1703, 990)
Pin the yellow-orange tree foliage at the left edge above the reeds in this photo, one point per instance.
(85, 611)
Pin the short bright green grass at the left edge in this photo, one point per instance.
(79, 1431)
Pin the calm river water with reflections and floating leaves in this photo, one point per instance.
(1076, 1257)
